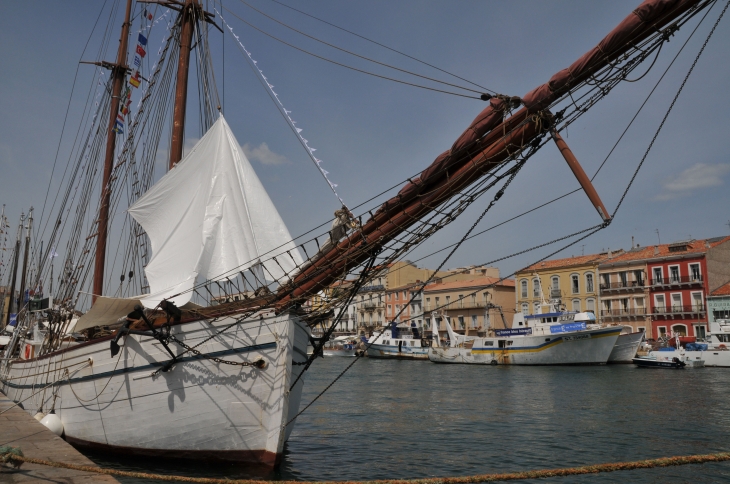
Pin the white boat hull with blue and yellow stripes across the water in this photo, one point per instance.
(586, 347)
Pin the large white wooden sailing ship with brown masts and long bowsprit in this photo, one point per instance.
(207, 360)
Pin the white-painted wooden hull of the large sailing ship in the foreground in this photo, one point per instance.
(199, 409)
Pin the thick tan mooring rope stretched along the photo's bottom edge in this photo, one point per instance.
(14, 458)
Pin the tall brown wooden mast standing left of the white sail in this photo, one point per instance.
(119, 71)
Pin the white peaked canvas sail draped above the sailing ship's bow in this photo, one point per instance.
(210, 215)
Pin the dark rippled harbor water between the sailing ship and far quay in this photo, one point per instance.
(410, 419)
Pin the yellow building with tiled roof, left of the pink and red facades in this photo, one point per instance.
(573, 280)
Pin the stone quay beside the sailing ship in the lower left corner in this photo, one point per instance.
(18, 429)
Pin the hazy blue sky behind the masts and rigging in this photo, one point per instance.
(373, 133)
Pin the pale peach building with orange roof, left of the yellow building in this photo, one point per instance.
(470, 305)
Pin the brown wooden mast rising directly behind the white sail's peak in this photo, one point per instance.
(187, 19)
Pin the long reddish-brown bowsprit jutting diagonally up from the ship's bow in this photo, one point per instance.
(502, 139)
